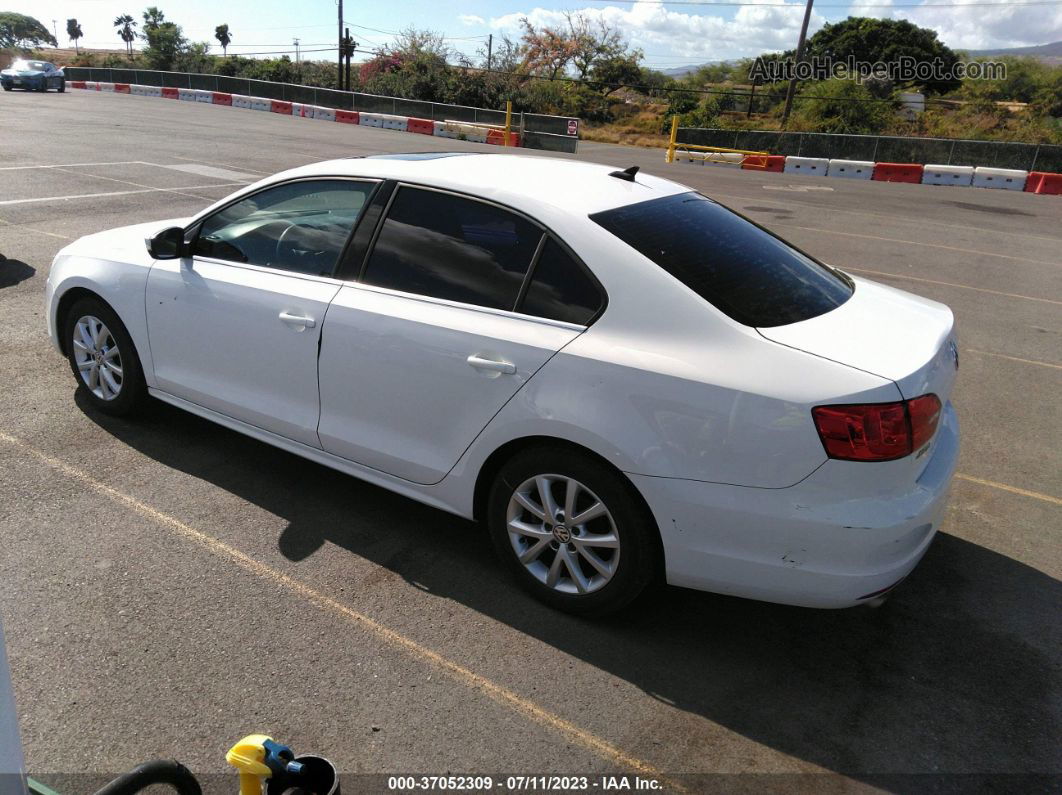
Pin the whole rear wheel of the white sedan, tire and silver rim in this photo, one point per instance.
(573, 531)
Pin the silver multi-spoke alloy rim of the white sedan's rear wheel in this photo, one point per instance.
(563, 534)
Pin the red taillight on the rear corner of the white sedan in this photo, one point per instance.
(878, 431)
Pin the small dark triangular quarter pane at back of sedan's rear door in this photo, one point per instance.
(561, 289)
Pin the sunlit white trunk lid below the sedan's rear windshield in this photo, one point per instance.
(885, 332)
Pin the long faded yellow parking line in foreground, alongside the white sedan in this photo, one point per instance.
(489, 688)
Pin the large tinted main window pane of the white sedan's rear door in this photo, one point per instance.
(448, 247)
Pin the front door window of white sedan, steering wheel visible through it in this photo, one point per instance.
(300, 227)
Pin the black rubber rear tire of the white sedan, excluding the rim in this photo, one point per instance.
(639, 552)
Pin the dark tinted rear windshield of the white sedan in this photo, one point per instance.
(734, 265)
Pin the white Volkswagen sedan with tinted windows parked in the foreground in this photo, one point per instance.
(624, 379)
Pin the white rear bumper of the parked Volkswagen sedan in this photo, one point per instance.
(818, 544)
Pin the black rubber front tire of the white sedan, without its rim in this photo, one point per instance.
(133, 393)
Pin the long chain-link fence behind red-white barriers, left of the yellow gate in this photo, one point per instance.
(540, 131)
